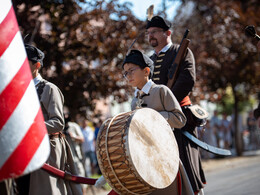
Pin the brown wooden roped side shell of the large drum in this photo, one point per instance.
(117, 156)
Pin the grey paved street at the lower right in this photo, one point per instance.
(238, 176)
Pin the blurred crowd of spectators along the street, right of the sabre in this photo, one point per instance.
(220, 132)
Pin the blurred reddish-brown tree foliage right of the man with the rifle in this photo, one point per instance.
(224, 55)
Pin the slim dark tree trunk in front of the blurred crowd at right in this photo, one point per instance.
(237, 130)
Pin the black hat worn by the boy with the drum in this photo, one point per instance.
(138, 58)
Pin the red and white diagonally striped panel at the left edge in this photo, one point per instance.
(24, 142)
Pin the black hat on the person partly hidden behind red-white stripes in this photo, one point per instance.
(34, 54)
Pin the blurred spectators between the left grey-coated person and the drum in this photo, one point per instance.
(82, 140)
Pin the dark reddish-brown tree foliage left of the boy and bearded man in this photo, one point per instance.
(84, 43)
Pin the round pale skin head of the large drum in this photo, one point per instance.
(152, 148)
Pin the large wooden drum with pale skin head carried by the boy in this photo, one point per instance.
(137, 152)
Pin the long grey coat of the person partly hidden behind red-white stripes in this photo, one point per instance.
(41, 183)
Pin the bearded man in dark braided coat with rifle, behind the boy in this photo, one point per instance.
(159, 37)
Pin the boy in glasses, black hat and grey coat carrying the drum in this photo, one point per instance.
(138, 69)
